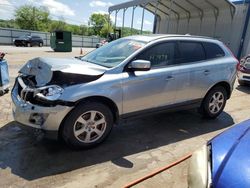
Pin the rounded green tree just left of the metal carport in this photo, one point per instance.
(98, 21)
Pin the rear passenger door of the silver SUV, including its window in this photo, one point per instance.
(190, 59)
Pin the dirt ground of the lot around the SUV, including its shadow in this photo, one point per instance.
(134, 148)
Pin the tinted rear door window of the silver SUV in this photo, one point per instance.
(190, 52)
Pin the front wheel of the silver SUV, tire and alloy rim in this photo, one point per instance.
(88, 125)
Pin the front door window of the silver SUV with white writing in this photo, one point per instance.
(159, 55)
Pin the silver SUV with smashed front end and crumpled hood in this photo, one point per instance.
(79, 100)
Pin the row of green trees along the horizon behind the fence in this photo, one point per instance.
(33, 18)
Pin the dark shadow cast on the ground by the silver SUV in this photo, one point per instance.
(31, 159)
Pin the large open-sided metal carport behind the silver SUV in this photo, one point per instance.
(219, 19)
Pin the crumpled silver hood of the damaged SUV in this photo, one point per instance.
(45, 68)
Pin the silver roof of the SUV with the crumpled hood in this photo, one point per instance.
(153, 37)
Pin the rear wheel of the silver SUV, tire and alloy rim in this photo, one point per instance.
(214, 102)
